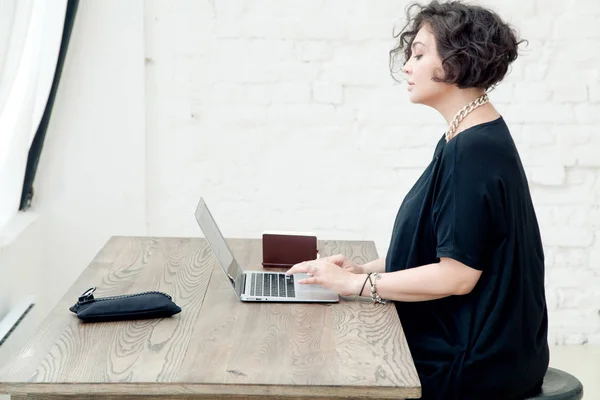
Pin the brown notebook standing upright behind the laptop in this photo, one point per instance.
(286, 249)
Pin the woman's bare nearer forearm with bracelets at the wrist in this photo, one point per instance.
(428, 282)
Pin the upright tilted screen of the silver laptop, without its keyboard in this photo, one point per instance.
(219, 246)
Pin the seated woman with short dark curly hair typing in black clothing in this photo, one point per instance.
(465, 265)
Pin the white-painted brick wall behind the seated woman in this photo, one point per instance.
(282, 113)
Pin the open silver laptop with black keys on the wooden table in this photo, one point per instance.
(258, 285)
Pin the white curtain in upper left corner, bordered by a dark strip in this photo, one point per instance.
(30, 38)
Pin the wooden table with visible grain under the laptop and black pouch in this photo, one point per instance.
(217, 347)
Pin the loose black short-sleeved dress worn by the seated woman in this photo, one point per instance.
(473, 204)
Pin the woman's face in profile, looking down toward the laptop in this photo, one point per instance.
(423, 64)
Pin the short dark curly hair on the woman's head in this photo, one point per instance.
(475, 45)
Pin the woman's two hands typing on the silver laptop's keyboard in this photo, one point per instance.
(327, 273)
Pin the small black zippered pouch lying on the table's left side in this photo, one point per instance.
(126, 307)
